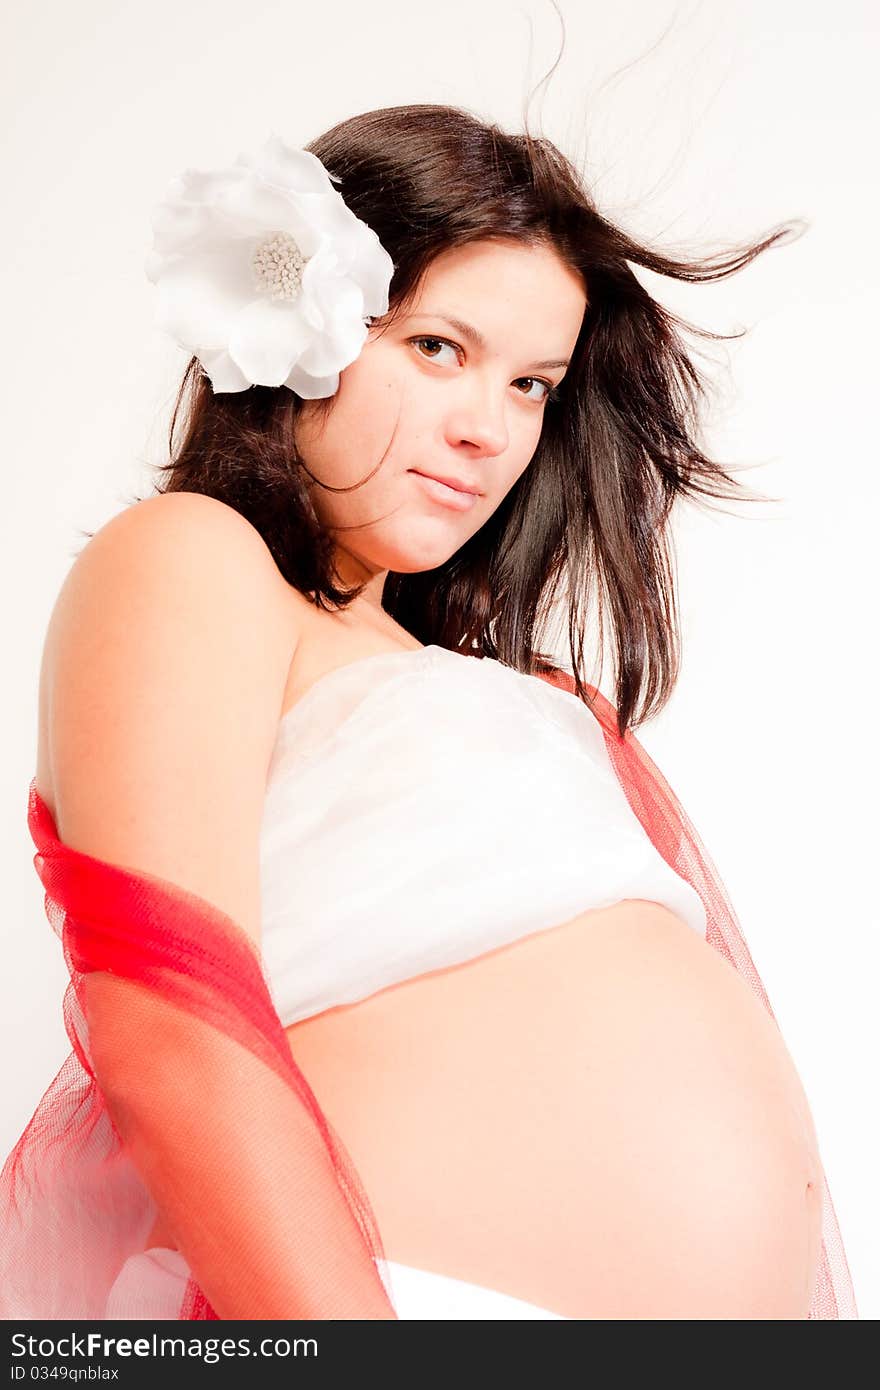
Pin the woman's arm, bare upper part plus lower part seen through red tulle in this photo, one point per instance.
(166, 667)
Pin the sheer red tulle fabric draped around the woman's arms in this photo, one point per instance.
(74, 1202)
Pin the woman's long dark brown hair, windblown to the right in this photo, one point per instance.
(590, 512)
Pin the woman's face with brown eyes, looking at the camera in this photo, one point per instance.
(433, 400)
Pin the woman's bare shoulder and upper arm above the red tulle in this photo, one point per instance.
(163, 680)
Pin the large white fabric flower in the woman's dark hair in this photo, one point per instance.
(265, 275)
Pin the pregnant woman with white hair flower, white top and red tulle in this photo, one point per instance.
(401, 985)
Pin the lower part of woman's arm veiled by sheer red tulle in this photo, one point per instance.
(234, 1163)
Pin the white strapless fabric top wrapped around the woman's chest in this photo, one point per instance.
(426, 807)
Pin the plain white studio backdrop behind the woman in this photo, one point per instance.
(703, 126)
